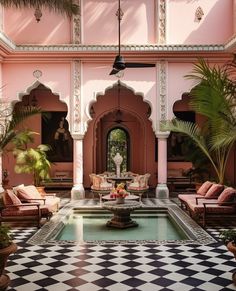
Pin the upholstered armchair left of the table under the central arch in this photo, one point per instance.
(100, 185)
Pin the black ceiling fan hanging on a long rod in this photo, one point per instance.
(119, 63)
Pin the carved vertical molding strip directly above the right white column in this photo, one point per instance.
(162, 90)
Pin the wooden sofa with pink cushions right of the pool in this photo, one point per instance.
(211, 201)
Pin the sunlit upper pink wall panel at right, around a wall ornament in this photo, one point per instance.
(215, 27)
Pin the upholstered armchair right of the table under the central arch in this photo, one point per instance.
(139, 185)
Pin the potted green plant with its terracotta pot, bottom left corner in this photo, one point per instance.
(7, 247)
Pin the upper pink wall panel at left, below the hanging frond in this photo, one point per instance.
(22, 28)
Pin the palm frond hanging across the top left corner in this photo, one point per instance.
(69, 7)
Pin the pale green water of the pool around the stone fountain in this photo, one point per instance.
(92, 227)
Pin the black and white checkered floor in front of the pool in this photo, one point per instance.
(148, 267)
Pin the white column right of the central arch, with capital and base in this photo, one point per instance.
(162, 191)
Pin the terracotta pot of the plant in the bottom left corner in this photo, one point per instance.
(4, 254)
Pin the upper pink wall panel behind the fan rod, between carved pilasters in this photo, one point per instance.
(99, 20)
